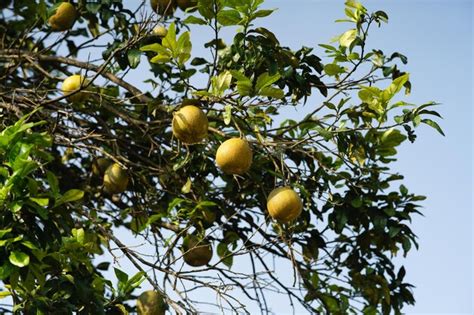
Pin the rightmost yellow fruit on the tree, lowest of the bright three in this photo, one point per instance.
(284, 204)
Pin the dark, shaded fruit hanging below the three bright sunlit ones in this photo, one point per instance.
(196, 252)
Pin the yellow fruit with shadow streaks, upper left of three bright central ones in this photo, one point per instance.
(190, 124)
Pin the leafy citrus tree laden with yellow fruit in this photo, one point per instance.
(203, 169)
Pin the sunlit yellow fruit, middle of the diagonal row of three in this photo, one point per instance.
(234, 156)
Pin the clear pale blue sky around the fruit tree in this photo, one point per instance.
(437, 38)
